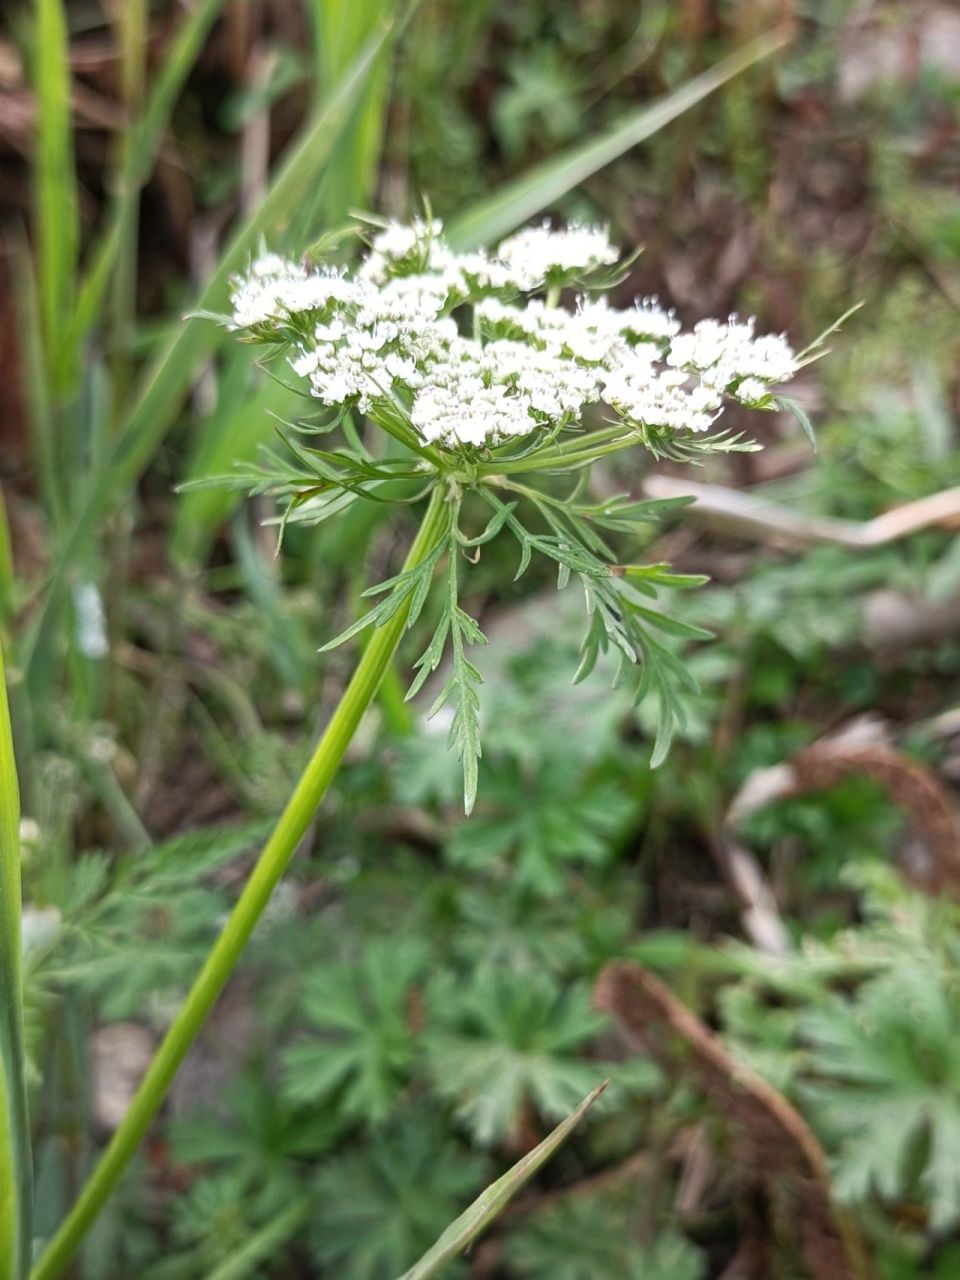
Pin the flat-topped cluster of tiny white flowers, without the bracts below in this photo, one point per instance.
(467, 350)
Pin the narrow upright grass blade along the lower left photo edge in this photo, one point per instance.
(16, 1178)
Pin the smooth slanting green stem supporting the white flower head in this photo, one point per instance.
(222, 959)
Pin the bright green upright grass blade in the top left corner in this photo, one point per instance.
(56, 195)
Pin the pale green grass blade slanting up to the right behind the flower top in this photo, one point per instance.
(501, 213)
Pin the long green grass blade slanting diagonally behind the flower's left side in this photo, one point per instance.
(167, 381)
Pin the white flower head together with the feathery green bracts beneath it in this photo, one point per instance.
(495, 391)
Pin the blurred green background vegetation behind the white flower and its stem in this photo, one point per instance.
(415, 1012)
